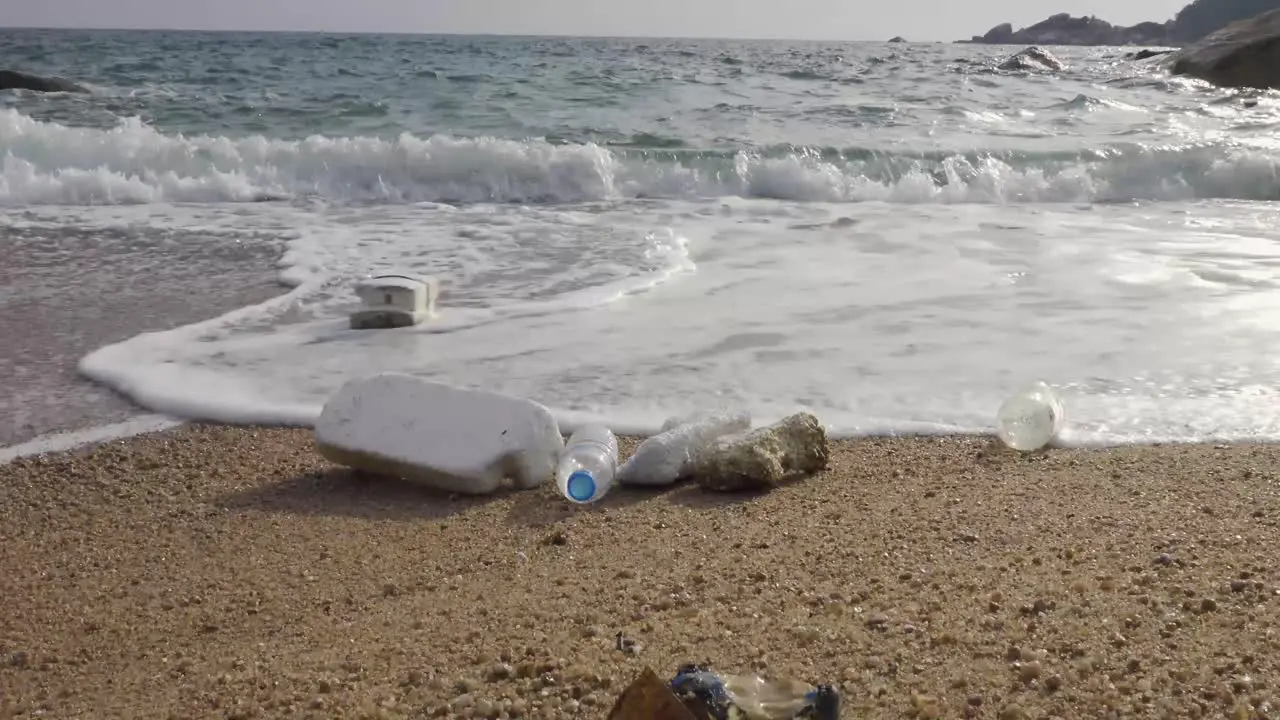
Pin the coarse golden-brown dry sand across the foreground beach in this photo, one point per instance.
(231, 573)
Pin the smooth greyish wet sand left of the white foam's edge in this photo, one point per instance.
(65, 297)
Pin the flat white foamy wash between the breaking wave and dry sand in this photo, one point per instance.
(880, 320)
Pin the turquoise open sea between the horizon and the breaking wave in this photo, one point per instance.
(917, 104)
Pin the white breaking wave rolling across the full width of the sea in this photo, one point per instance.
(47, 163)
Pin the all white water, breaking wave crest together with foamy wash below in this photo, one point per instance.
(628, 290)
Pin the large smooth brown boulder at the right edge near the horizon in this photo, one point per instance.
(1244, 54)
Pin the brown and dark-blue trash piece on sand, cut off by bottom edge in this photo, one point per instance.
(705, 695)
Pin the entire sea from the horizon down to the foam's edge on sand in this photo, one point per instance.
(893, 238)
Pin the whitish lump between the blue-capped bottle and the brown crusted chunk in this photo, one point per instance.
(669, 455)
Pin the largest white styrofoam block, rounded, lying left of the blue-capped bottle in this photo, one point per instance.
(450, 439)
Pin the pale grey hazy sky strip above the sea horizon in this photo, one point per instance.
(819, 20)
